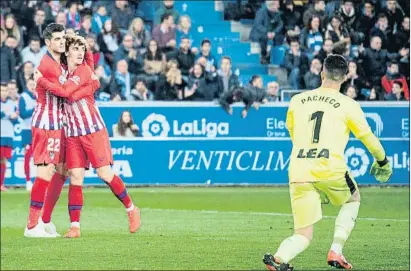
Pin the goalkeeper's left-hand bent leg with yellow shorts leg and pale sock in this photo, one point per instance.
(306, 208)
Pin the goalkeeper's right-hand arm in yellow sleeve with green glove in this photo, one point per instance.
(359, 127)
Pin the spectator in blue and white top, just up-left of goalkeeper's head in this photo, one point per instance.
(311, 37)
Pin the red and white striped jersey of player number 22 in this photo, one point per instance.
(48, 112)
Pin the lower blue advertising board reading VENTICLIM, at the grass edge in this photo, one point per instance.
(221, 161)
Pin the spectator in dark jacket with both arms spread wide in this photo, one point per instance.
(375, 60)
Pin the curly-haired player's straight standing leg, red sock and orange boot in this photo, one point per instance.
(75, 201)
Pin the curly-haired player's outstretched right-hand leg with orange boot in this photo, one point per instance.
(98, 149)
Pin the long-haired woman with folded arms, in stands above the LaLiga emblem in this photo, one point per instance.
(154, 63)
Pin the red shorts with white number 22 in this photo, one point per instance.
(48, 146)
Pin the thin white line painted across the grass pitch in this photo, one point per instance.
(266, 214)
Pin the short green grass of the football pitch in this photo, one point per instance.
(202, 228)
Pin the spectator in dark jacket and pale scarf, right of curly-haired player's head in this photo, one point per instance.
(108, 41)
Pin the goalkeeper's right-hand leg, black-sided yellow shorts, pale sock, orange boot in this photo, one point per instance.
(343, 193)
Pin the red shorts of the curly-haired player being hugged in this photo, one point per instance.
(93, 148)
